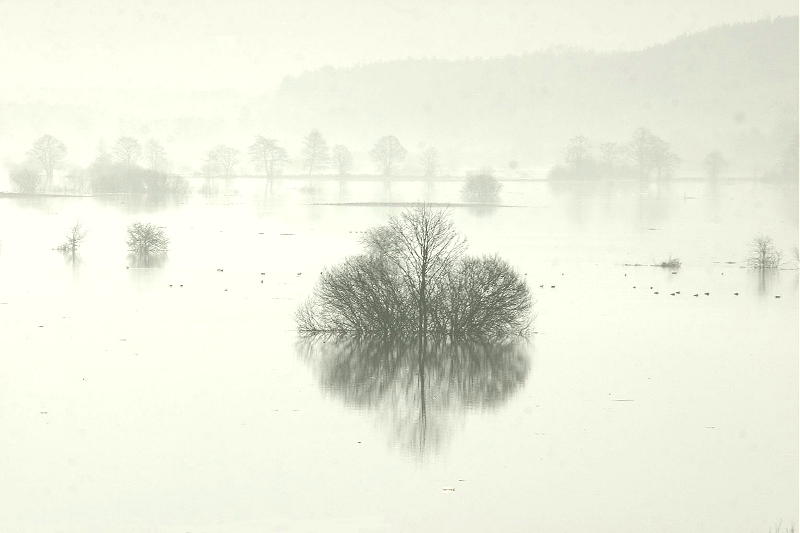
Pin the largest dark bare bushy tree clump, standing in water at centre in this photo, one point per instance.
(413, 279)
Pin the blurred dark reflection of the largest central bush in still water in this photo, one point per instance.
(418, 388)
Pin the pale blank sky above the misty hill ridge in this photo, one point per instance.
(252, 44)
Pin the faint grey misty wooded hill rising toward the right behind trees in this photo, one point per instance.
(732, 88)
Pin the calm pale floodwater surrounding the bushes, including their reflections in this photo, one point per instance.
(180, 398)
